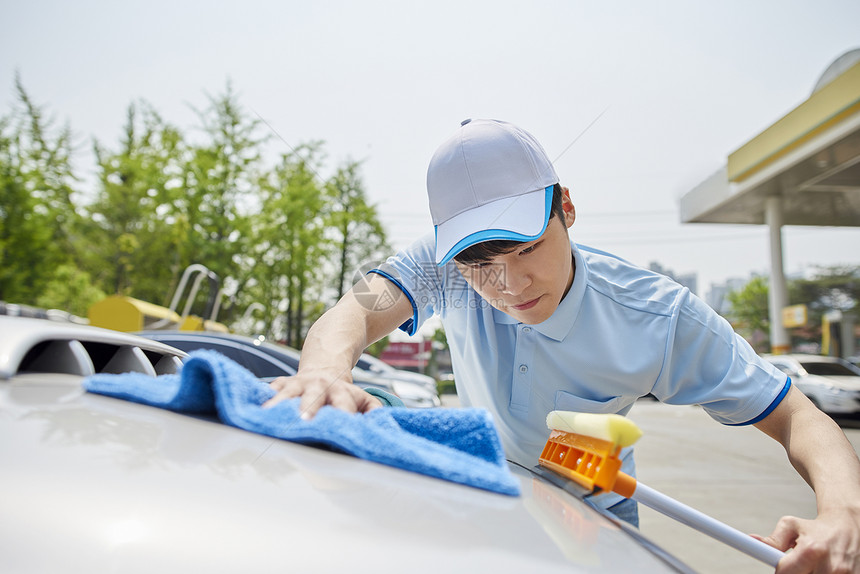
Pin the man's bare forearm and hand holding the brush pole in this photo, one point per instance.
(819, 451)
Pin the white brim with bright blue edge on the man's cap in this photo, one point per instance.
(521, 218)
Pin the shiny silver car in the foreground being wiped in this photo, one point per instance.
(94, 484)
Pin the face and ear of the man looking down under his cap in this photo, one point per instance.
(529, 282)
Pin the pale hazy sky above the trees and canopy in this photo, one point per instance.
(637, 102)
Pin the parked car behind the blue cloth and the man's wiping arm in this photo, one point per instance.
(269, 360)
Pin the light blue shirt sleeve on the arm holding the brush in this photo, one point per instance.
(707, 363)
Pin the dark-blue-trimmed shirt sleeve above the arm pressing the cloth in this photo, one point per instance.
(415, 273)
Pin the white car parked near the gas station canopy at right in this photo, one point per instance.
(833, 384)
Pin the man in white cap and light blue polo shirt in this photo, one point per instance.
(536, 323)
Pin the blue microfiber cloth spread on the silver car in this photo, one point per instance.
(460, 445)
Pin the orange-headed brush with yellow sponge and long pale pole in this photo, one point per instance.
(585, 448)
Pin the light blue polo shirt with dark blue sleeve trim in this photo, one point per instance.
(620, 333)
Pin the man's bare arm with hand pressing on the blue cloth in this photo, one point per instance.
(334, 344)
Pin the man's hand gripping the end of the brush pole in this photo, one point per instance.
(830, 543)
